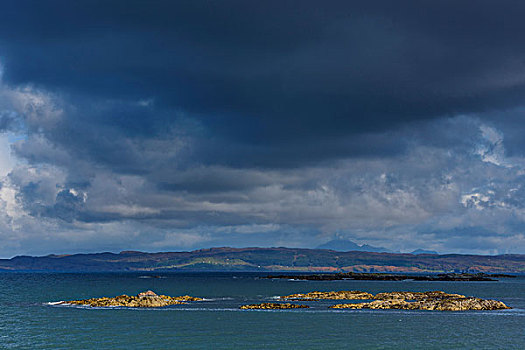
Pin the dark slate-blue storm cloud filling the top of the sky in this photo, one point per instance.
(267, 77)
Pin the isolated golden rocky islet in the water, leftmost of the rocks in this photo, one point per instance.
(144, 299)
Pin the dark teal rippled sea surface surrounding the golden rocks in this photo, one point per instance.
(28, 320)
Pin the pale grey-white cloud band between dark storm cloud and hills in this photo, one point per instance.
(382, 201)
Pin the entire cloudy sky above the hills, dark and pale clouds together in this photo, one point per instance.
(178, 125)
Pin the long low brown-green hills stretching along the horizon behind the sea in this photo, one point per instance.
(266, 259)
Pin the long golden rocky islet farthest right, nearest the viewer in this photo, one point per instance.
(443, 304)
